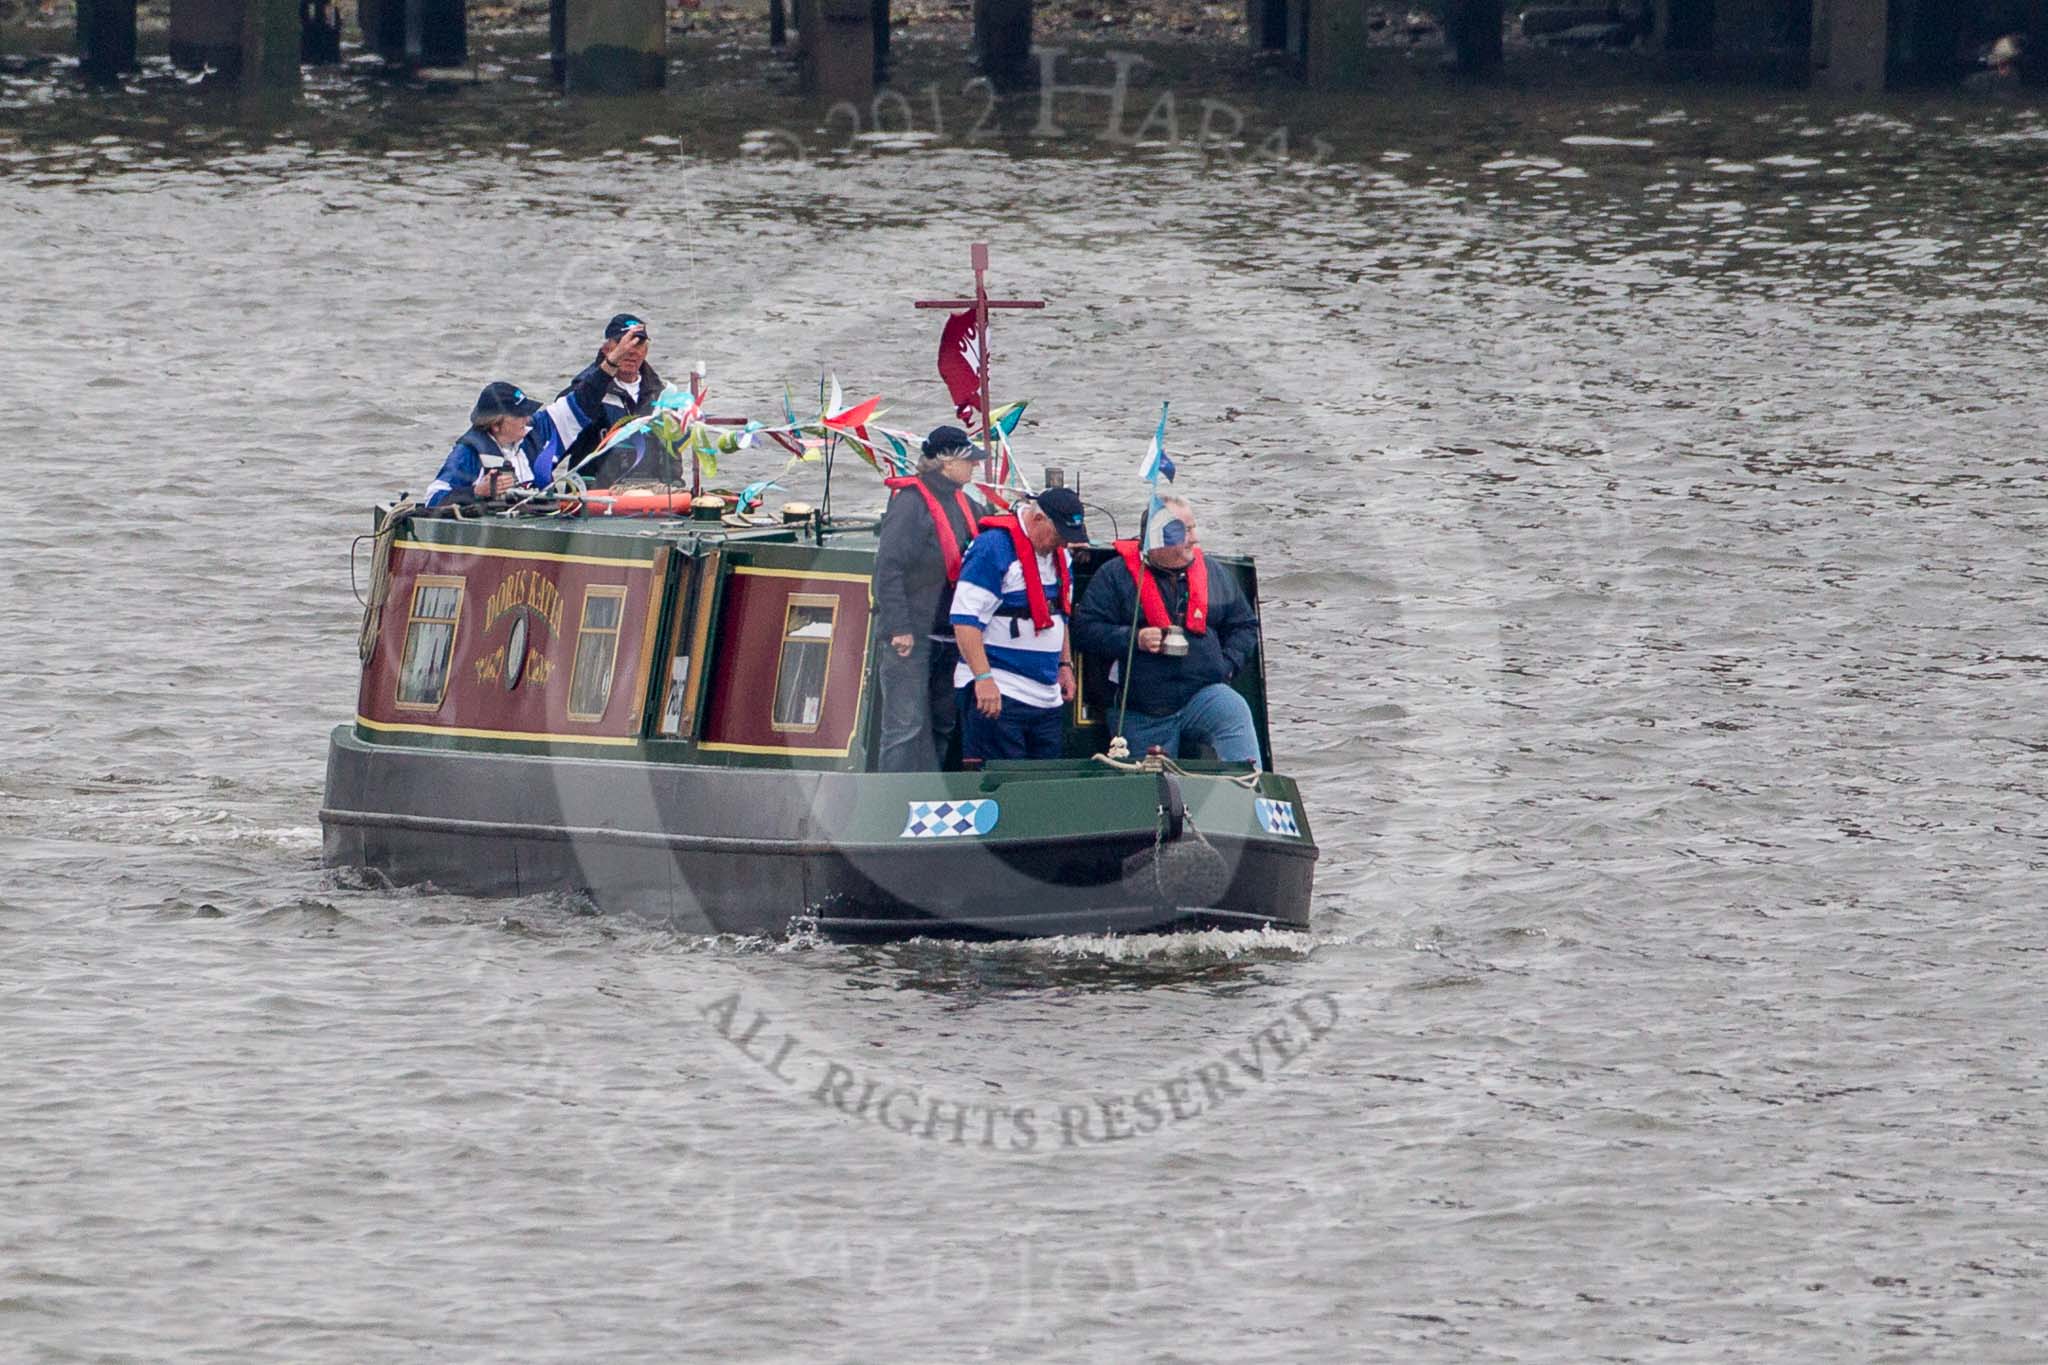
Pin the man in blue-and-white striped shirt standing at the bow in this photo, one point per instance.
(1011, 623)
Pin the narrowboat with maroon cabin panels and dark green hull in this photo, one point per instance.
(677, 717)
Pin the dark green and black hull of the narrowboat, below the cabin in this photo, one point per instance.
(1017, 850)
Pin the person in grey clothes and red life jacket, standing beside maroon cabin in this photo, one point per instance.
(925, 537)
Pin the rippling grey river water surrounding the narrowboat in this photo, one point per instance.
(1646, 484)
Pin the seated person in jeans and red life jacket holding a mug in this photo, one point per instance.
(1175, 699)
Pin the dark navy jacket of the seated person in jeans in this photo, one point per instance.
(1162, 685)
